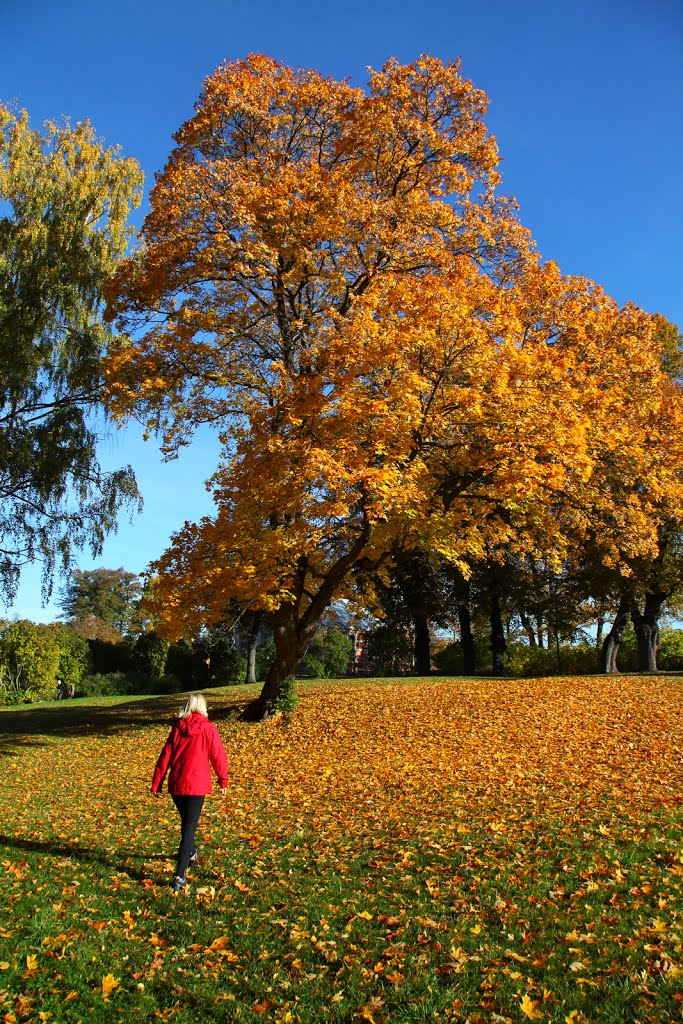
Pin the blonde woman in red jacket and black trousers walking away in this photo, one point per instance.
(193, 744)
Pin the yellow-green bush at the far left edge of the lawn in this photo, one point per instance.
(34, 656)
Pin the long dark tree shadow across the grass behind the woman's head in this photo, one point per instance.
(71, 719)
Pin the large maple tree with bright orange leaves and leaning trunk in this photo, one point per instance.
(328, 275)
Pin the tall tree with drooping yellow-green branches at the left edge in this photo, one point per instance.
(64, 205)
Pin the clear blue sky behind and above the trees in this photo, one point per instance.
(586, 102)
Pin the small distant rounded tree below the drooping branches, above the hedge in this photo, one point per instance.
(102, 602)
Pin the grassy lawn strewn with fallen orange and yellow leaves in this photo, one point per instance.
(418, 850)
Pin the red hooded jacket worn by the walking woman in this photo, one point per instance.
(193, 743)
